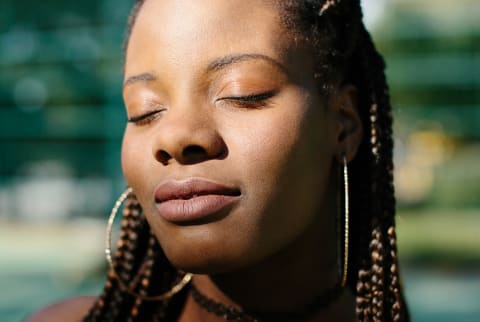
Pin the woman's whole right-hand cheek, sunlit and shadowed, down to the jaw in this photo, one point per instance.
(284, 159)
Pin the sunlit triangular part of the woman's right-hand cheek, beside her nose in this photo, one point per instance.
(260, 145)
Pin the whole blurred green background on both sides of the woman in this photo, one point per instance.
(61, 121)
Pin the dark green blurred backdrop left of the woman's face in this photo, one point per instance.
(61, 112)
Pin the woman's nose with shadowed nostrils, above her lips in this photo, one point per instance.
(187, 137)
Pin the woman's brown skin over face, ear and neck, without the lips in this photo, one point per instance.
(275, 249)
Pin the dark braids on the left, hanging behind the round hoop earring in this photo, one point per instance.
(141, 266)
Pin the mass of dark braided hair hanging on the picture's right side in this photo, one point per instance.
(339, 28)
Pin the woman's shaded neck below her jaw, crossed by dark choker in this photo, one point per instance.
(286, 282)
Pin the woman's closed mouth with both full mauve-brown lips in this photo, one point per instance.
(194, 200)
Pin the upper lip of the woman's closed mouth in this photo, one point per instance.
(190, 188)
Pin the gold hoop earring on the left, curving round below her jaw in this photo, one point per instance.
(108, 255)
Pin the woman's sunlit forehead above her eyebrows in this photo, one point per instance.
(182, 32)
